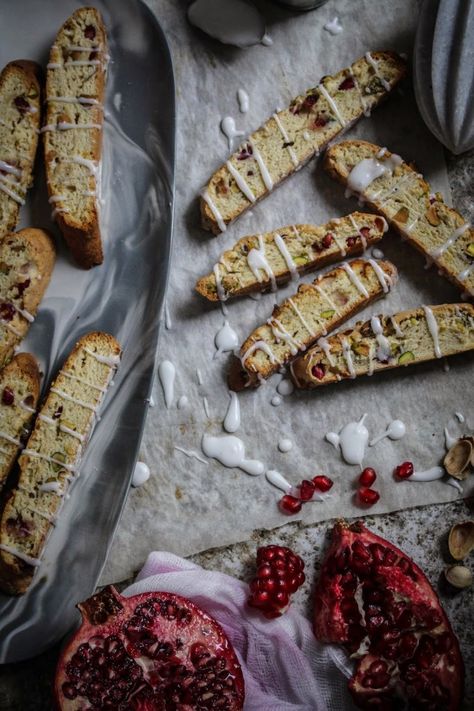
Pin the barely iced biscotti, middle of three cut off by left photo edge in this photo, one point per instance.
(26, 262)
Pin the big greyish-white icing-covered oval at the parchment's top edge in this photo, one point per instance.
(231, 22)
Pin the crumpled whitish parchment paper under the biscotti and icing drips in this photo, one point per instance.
(187, 506)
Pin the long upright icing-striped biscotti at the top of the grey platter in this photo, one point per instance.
(75, 90)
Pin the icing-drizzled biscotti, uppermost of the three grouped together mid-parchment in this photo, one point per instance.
(261, 262)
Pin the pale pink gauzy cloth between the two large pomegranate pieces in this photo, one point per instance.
(284, 667)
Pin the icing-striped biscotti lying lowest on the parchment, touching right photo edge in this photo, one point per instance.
(384, 342)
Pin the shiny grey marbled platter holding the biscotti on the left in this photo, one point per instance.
(124, 296)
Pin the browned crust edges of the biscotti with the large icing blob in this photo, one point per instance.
(333, 166)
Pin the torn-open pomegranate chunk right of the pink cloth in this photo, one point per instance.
(376, 602)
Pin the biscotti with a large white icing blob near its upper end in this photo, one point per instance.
(399, 193)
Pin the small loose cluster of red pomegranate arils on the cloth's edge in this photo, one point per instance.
(279, 575)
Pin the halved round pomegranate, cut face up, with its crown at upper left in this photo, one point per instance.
(153, 651)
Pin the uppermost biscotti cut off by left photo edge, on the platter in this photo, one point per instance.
(20, 121)
